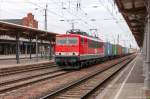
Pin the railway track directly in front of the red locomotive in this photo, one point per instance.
(7, 86)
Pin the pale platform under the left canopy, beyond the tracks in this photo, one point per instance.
(10, 61)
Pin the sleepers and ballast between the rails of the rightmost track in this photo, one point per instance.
(84, 88)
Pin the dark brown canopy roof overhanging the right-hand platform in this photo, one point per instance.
(134, 12)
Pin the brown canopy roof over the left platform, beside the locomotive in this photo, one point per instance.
(11, 29)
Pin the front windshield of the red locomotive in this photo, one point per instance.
(66, 40)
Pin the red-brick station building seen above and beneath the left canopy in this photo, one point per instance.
(8, 44)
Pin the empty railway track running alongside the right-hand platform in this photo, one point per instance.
(81, 88)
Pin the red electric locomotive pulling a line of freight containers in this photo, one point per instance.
(74, 51)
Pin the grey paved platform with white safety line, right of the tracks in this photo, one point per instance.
(128, 84)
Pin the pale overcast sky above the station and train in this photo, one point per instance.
(91, 14)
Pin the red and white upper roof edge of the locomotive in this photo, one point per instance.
(91, 38)
